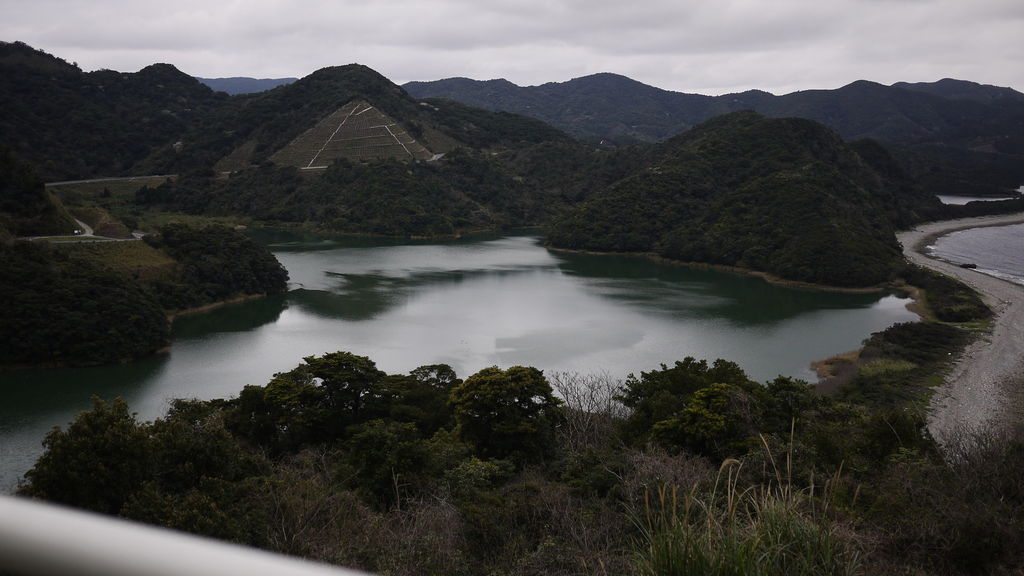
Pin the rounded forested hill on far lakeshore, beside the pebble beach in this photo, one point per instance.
(783, 196)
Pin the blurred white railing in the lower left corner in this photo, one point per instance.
(48, 541)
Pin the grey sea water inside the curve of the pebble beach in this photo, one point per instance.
(997, 252)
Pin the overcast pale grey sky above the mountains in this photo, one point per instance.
(702, 47)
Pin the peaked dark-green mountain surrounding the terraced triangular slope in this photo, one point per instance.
(250, 130)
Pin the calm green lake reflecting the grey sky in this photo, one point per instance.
(471, 304)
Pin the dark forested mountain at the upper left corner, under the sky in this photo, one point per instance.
(71, 125)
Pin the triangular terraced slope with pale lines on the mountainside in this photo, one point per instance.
(356, 132)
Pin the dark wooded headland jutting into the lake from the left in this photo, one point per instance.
(86, 303)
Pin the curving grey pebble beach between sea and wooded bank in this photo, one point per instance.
(984, 391)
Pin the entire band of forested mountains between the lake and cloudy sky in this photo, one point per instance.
(347, 150)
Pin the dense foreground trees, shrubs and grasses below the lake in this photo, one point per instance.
(690, 469)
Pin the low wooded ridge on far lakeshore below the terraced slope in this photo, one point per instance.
(463, 192)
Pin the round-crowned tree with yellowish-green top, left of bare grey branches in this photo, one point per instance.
(507, 414)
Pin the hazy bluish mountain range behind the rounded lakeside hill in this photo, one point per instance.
(957, 137)
